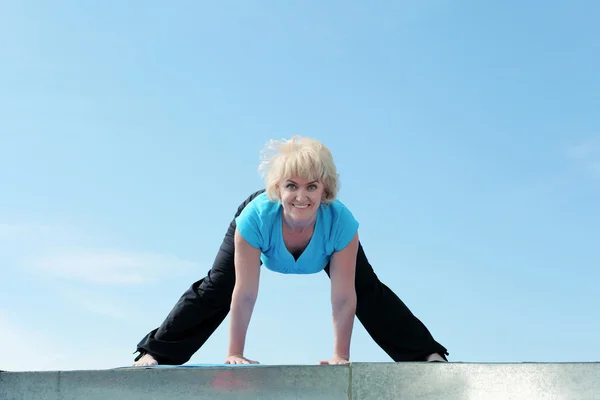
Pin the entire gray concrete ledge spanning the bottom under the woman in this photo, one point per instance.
(360, 381)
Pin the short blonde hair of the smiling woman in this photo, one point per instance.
(308, 158)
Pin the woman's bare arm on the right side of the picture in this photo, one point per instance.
(343, 299)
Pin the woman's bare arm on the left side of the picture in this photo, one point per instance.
(245, 293)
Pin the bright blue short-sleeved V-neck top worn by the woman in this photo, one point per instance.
(260, 224)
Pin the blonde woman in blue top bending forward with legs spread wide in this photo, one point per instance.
(296, 225)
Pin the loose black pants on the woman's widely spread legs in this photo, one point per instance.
(204, 306)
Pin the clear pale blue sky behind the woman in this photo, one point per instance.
(467, 136)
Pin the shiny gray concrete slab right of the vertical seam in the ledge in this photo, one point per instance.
(454, 381)
